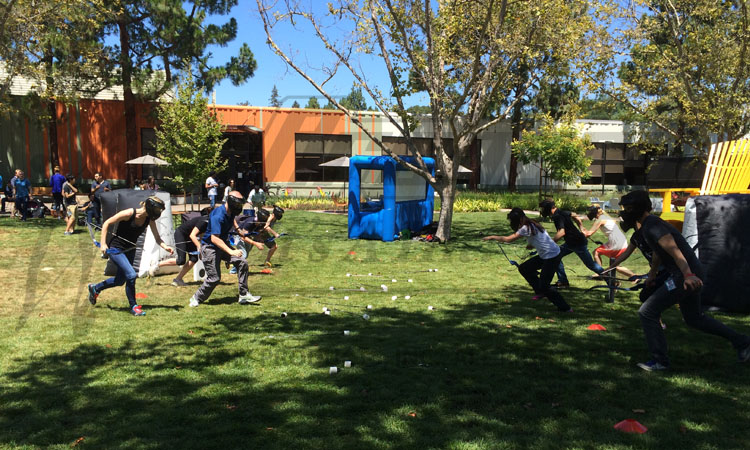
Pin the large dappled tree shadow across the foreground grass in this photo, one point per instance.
(443, 378)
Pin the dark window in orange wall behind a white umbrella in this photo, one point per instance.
(312, 150)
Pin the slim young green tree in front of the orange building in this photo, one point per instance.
(189, 137)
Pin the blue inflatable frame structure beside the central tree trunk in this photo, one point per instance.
(407, 201)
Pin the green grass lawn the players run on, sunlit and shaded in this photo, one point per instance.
(487, 367)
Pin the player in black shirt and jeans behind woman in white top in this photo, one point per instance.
(575, 241)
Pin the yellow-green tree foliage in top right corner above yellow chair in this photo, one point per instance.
(685, 70)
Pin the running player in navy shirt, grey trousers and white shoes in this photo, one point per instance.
(215, 248)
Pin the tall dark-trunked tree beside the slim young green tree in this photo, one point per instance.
(160, 37)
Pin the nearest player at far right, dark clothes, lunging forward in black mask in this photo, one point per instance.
(683, 286)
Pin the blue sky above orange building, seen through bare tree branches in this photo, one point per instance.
(272, 70)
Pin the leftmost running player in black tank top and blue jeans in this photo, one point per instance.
(131, 223)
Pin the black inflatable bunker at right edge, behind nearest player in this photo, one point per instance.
(724, 243)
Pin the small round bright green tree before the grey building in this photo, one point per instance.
(560, 151)
